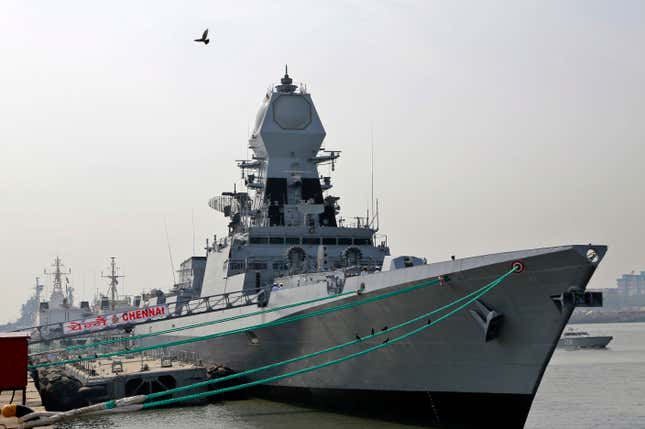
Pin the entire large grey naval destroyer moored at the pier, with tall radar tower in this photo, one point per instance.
(286, 240)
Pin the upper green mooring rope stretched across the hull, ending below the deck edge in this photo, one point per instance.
(239, 330)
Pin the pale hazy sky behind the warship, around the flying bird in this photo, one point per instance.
(497, 125)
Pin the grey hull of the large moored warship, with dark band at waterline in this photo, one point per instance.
(448, 371)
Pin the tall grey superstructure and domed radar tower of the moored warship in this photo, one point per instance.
(284, 224)
